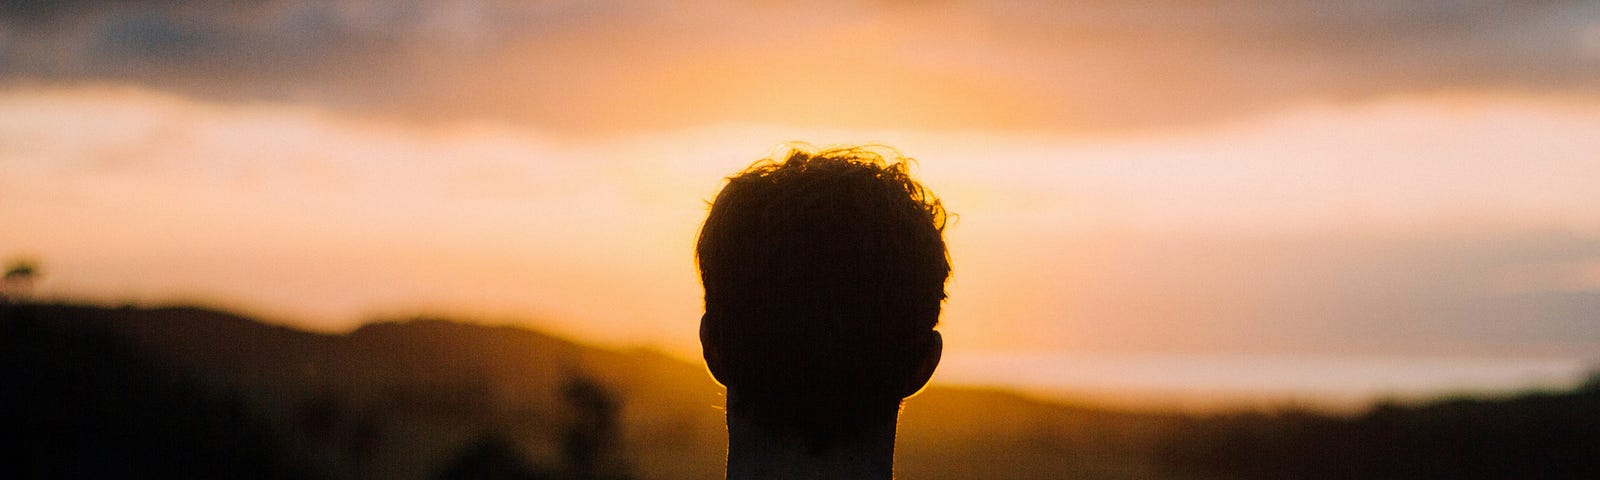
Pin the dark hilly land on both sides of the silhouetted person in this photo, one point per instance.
(97, 393)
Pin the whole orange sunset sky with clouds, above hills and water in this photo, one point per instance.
(1130, 178)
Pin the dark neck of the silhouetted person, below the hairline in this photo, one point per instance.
(759, 454)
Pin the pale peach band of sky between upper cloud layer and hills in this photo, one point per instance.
(1303, 231)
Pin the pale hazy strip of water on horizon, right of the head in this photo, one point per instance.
(1249, 380)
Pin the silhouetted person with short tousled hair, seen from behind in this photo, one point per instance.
(825, 274)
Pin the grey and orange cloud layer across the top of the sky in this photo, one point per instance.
(586, 66)
